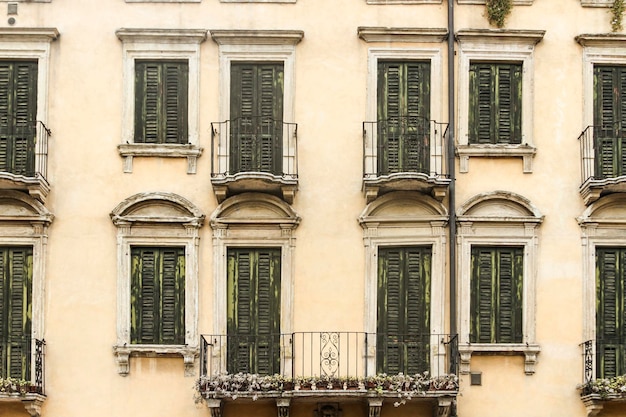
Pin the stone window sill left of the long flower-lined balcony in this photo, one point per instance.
(123, 354)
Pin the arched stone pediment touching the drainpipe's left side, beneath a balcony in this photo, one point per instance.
(404, 206)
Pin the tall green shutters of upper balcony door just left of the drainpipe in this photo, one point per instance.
(403, 117)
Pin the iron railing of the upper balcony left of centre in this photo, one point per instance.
(254, 144)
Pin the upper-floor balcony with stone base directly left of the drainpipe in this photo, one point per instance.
(403, 154)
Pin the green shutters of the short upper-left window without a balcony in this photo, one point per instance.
(161, 90)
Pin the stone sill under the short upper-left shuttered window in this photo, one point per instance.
(130, 150)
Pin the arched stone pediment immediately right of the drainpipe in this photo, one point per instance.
(502, 205)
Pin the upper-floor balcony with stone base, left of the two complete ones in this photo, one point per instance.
(254, 154)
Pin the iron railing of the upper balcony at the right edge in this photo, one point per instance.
(601, 151)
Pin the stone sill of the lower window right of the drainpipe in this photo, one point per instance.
(529, 351)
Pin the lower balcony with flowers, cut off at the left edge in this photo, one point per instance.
(22, 374)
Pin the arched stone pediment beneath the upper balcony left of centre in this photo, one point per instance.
(254, 208)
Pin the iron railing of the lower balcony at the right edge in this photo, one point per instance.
(603, 358)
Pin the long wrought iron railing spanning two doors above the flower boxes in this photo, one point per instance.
(327, 354)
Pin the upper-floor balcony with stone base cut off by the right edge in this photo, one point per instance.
(603, 165)
